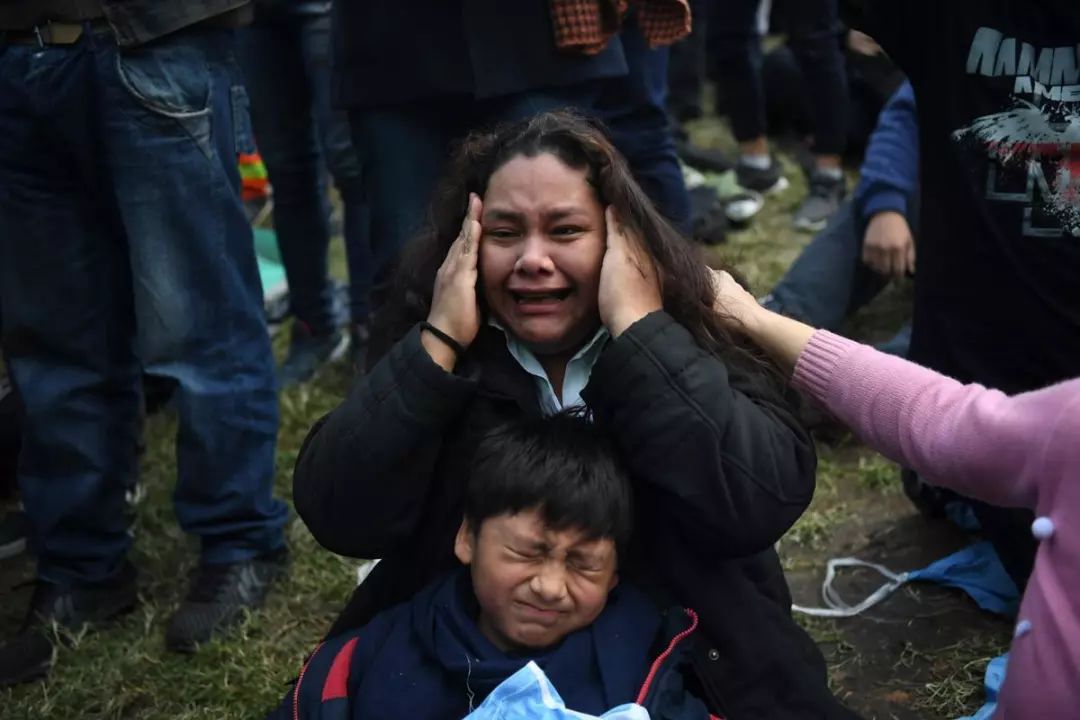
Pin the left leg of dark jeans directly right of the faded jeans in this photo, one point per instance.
(283, 114)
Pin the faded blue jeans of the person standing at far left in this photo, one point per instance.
(124, 246)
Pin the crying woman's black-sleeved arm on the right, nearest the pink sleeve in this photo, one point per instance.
(736, 467)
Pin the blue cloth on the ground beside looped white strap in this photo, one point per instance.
(978, 572)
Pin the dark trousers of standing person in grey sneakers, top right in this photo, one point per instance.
(735, 52)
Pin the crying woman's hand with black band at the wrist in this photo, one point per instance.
(455, 309)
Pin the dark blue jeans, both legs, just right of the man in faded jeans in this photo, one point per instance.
(288, 70)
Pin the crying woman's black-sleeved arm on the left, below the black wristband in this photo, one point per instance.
(366, 469)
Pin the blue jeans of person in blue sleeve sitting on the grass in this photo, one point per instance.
(829, 282)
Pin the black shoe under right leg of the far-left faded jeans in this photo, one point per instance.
(220, 596)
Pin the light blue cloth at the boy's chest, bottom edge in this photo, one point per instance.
(529, 696)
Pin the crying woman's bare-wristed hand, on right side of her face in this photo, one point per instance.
(630, 288)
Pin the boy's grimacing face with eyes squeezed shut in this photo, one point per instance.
(535, 586)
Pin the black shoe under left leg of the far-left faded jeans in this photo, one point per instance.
(30, 655)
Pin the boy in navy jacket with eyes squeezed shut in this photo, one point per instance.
(548, 512)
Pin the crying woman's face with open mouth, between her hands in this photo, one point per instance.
(541, 257)
